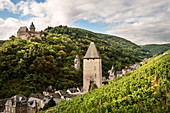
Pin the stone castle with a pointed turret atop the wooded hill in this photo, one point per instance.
(24, 33)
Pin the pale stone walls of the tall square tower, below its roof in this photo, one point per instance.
(92, 71)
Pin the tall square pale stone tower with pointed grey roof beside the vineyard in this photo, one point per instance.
(92, 68)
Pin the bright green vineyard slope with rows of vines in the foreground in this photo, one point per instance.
(145, 90)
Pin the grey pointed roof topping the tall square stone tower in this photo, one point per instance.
(92, 52)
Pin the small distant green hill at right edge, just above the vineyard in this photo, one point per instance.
(157, 48)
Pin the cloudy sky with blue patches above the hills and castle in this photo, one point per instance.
(140, 21)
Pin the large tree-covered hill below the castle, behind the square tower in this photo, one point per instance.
(28, 66)
